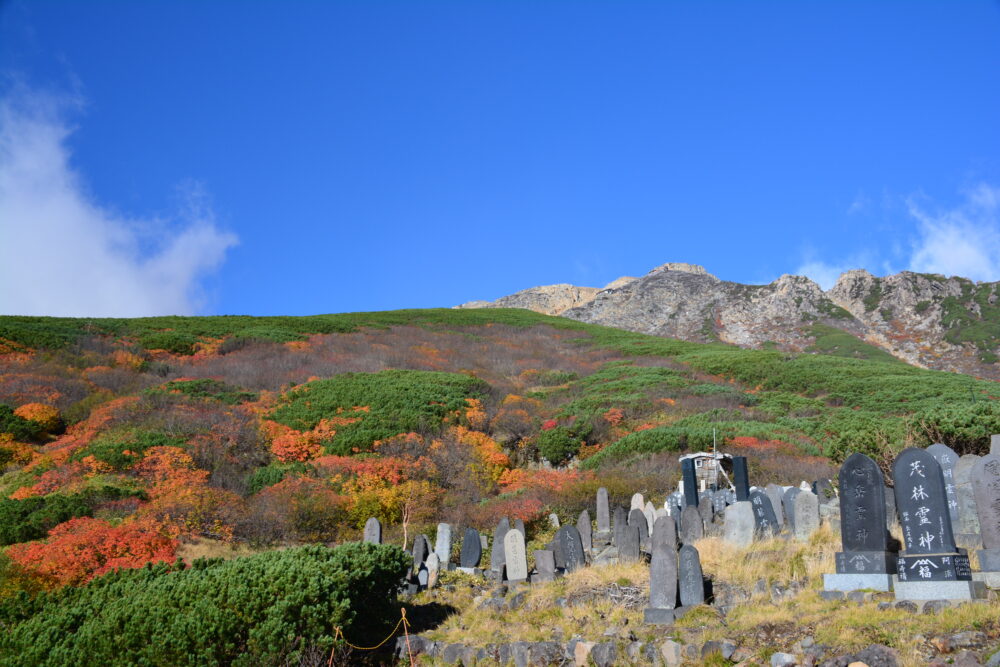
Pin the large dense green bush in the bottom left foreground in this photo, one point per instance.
(266, 609)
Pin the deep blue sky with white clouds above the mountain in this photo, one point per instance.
(298, 158)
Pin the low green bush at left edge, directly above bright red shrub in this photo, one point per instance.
(32, 518)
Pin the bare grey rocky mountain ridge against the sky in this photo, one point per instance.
(924, 319)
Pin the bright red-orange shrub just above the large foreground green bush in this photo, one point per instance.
(80, 549)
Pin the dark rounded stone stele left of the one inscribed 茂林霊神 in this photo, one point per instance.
(863, 532)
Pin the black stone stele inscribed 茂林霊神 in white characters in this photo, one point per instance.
(922, 504)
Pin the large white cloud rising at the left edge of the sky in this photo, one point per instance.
(62, 253)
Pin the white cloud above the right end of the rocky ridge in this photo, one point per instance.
(962, 241)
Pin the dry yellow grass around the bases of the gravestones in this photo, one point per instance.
(598, 598)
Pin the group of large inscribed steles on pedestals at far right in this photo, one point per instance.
(945, 505)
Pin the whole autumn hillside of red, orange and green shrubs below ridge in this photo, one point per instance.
(129, 442)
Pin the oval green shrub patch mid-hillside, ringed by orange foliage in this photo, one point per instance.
(399, 401)
